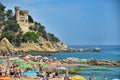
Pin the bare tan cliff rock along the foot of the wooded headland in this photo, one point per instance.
(43, 45)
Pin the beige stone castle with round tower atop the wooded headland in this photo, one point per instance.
(22, 19)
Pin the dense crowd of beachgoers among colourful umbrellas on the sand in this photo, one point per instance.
(31, 67)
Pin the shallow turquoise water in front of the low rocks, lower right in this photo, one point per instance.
(109, 72)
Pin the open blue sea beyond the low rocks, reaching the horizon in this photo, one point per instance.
(109, 52)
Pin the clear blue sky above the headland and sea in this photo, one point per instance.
(76, 22)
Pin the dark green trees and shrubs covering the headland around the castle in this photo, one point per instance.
(12, 31)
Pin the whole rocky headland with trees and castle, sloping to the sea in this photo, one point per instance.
(19, 32)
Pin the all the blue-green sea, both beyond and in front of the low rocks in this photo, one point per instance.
(108, 52)
